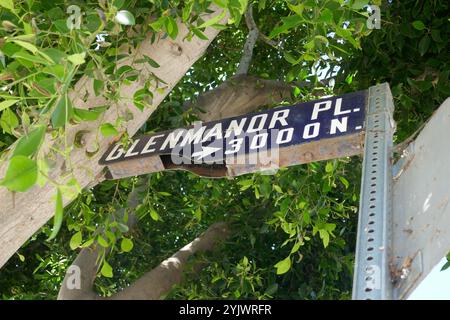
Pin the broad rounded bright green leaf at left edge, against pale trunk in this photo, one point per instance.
(21, 174)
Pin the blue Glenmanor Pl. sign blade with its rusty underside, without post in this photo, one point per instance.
(316, 130)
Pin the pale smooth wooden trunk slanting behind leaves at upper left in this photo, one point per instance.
(23, 214)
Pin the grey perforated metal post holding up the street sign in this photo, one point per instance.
(372, 279)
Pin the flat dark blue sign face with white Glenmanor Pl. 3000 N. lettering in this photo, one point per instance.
(236, 137)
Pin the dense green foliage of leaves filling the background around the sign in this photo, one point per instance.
(294, 231)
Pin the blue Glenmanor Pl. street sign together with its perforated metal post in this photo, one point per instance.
(328, 128)
